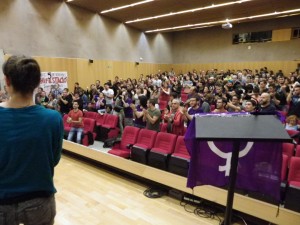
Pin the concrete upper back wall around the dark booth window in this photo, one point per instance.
(215, 44)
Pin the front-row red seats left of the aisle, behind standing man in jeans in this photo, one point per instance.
(98, 126)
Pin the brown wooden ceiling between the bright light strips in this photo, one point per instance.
(158, 7)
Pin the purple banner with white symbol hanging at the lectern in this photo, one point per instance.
(259, 165)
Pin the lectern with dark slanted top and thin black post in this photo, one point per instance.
(238, 128)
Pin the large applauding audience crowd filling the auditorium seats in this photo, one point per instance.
(167, 101)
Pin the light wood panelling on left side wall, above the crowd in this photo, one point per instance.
(86, 73)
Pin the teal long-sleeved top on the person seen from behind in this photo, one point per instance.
(30, 148)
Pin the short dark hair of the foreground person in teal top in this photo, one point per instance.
(23, 73)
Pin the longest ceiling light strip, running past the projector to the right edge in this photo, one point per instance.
(224, 21)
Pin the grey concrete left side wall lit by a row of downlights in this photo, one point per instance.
(56, 29)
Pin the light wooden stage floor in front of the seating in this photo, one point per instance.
(89, 195)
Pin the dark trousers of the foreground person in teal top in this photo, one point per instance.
(37, 211)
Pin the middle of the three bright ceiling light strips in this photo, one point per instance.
(188, 11)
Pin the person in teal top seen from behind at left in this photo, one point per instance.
(31, 144)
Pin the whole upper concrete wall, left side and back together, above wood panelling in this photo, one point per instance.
(52, 28)
